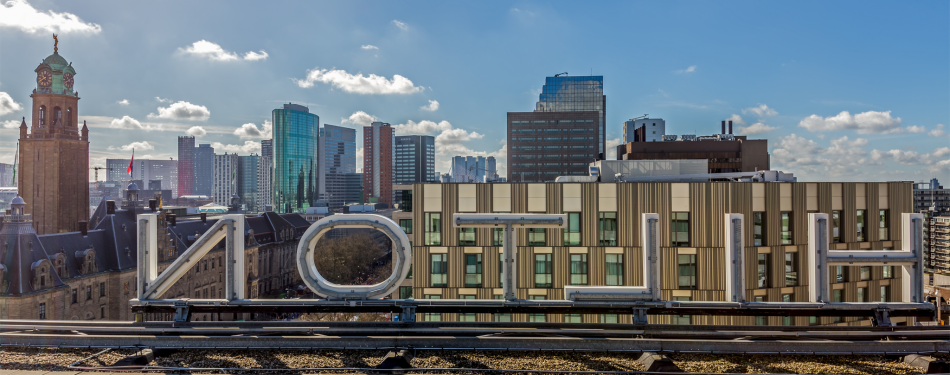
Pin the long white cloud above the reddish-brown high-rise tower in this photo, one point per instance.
(357, 83)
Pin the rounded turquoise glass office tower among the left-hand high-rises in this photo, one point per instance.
(296, 139)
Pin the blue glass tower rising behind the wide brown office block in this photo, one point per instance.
(571, 94)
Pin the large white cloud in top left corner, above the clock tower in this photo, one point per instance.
(21, 15)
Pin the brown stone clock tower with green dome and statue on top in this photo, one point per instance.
(54, 154)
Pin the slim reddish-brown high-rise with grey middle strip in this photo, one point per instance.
(378, 161)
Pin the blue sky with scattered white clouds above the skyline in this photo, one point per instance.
(843, 91)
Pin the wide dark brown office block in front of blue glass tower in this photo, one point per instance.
(545, 145)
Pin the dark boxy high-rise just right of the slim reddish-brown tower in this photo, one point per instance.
(415, 159)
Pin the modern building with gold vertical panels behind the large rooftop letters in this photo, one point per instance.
(601, 245)
